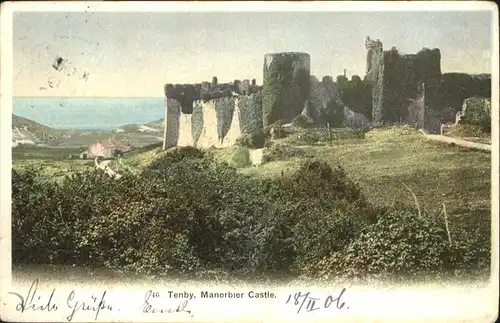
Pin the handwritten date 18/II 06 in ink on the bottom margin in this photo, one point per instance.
(306, 302)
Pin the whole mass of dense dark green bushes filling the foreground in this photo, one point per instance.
(188, 214)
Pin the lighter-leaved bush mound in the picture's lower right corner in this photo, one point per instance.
(405, 245)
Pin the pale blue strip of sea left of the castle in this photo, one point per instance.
(78, 113)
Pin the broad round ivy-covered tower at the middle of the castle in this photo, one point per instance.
(286, 85)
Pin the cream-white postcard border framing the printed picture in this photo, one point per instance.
(429, 306)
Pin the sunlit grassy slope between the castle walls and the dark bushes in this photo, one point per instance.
(388, 163)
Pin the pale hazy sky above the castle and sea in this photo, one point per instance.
(110, 54)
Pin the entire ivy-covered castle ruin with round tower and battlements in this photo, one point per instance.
(407, 88)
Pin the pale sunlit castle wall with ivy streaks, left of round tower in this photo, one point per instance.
(209, 115)
